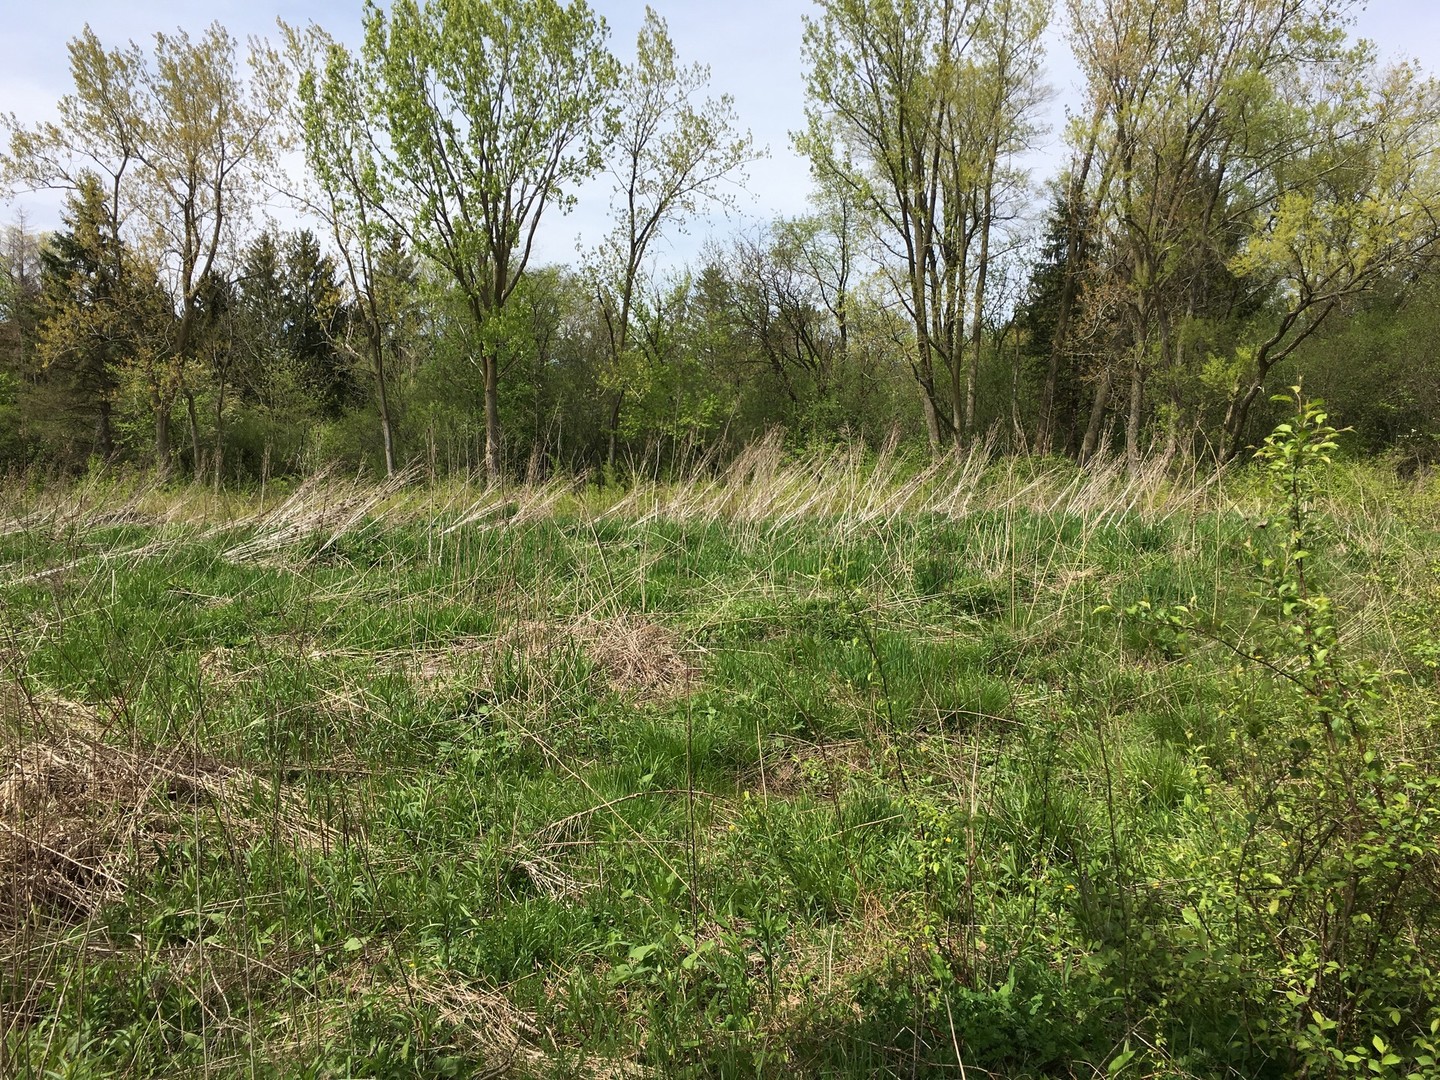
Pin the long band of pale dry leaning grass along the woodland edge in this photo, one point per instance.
(764, 483)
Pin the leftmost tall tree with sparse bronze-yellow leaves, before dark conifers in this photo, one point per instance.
(176, 139)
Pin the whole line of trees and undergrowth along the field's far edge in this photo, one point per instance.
(1249, 199)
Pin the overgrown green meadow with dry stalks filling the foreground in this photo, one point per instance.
(833, 767)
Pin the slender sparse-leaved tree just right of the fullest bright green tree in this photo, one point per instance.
(670, 156)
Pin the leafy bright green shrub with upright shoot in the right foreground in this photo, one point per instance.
(1314, 905)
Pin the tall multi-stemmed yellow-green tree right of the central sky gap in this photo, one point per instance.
(915, 109)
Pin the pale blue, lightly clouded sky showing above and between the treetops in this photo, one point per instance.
(752, 48)
